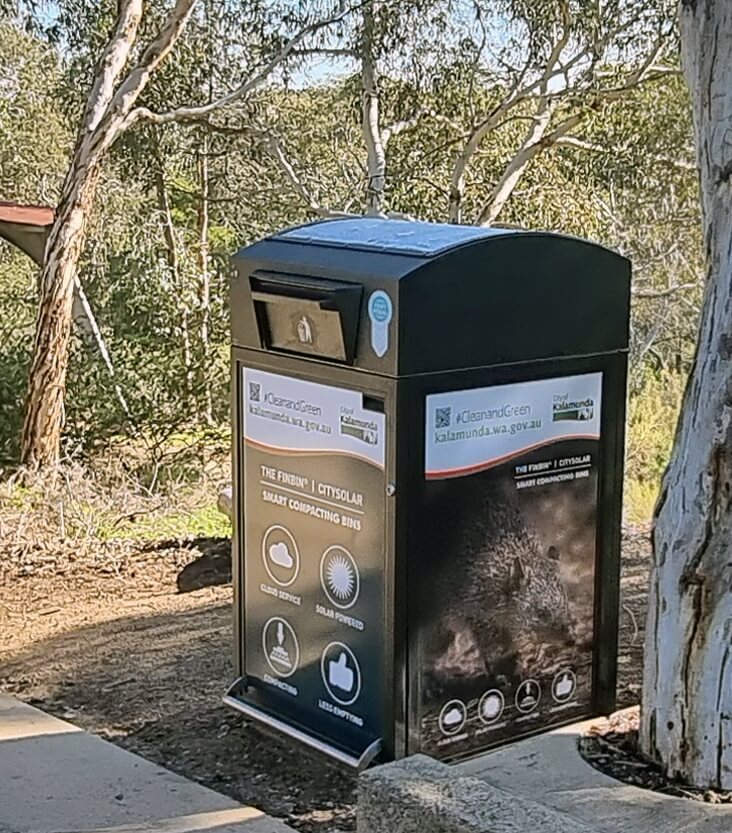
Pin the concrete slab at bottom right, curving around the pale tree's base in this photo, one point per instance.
(550, 770)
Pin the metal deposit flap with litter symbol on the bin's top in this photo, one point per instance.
(311, 316)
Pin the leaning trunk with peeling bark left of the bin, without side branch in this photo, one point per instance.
(107, 114)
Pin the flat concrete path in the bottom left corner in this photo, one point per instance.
(55, 778)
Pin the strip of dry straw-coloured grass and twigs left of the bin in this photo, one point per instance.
(95, 514)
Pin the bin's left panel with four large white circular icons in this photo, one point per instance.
(314, 501)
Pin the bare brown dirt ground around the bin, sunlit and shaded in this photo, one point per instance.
(107, 642)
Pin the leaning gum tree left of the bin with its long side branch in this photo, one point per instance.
(142, 36)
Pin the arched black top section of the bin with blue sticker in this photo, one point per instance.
(430, 297)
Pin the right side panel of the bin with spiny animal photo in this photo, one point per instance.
(507, 553)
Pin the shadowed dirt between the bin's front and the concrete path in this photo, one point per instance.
(153, 684)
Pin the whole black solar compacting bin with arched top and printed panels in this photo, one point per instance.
(428, 434)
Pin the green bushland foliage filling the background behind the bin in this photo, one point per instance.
(626, 183)
